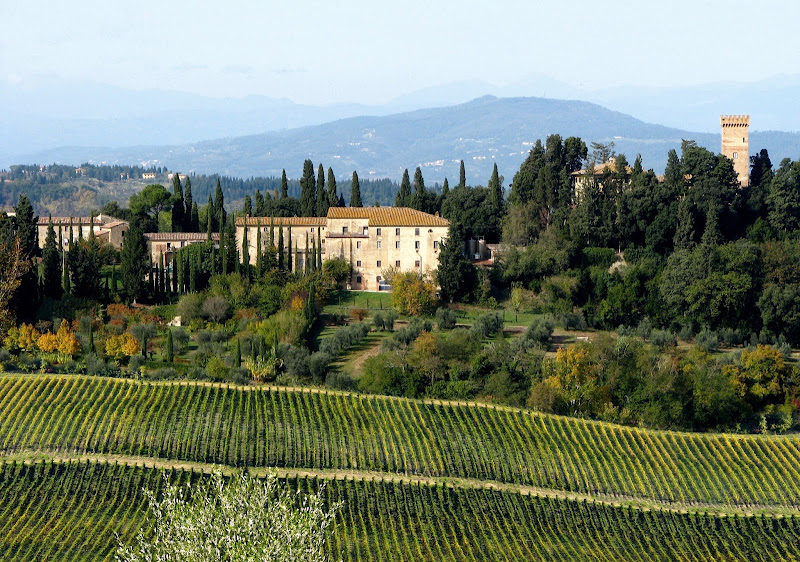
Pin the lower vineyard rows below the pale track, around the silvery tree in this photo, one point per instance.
(71, 511)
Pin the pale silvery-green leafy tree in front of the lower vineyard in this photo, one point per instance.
(241, 519)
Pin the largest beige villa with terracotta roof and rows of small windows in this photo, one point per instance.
(371, 239)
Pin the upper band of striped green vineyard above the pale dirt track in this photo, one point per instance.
(335, 431)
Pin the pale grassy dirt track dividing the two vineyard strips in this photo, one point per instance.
(645, 504)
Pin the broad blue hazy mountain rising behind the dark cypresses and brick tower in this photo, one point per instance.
(481, 132)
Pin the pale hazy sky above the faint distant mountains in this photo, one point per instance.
(373, 51)
